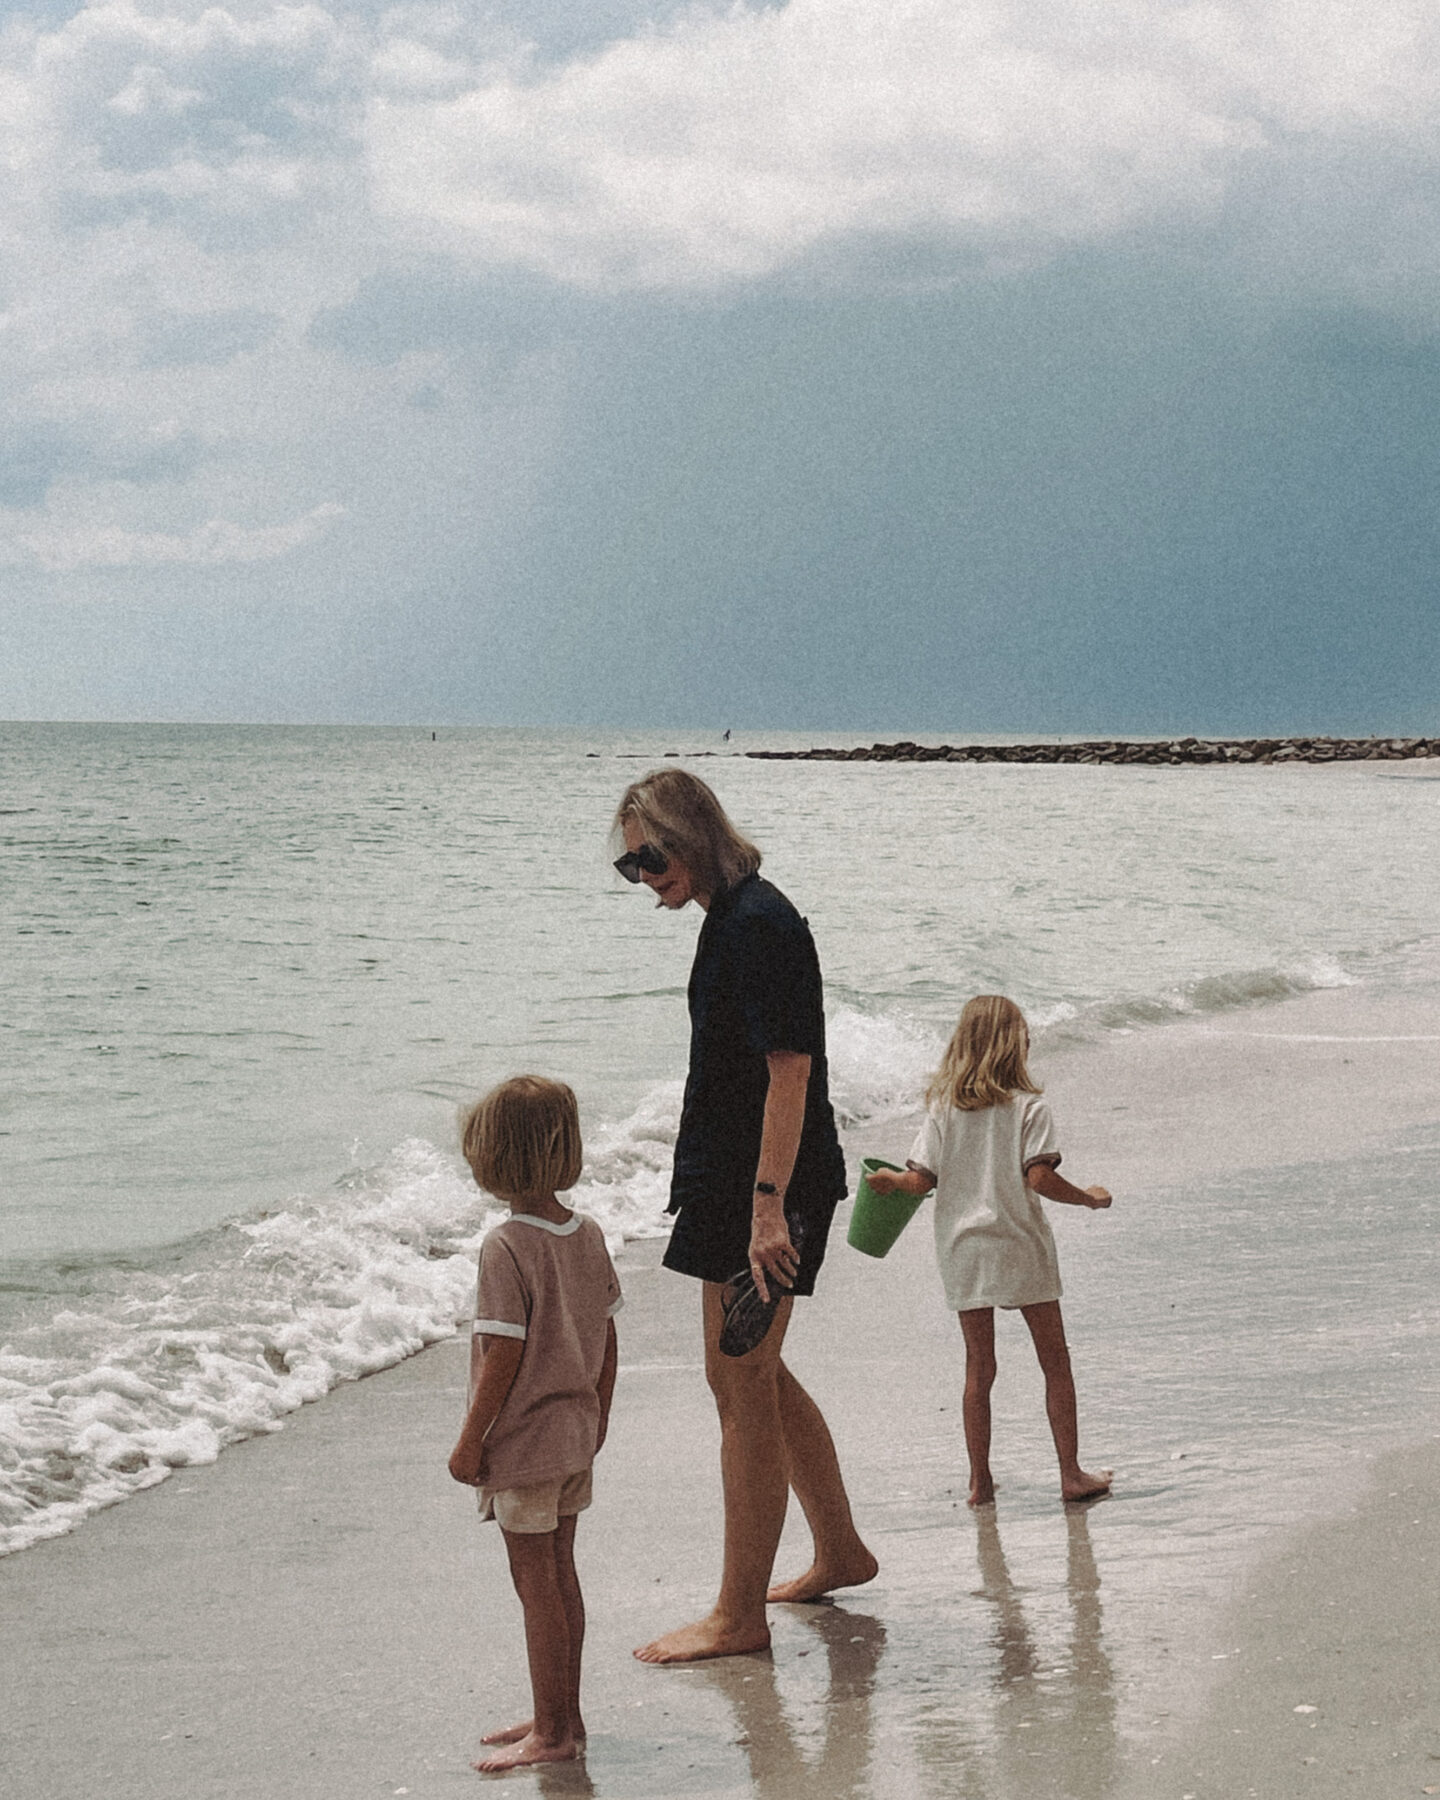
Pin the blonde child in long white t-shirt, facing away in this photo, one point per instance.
(987, 1147)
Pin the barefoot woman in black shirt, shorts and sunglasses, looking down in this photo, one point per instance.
(759, 1173)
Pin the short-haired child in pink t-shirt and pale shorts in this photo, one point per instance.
(543, 1369)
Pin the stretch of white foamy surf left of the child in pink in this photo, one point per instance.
(159, 1369)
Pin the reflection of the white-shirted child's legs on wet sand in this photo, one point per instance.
(1054, 1714)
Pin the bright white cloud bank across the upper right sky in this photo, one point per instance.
(730, 147)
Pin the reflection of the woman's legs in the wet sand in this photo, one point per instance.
(820, 1747)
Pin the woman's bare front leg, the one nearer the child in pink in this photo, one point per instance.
(757, 1493)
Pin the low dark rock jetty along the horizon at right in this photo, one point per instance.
(1151, 755)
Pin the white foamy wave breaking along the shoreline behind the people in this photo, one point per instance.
(161, 1367)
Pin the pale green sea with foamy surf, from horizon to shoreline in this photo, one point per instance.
(253, 973)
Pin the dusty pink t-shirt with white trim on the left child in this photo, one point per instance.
(555, 1288)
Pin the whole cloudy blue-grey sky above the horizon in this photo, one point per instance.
(930, 366)
